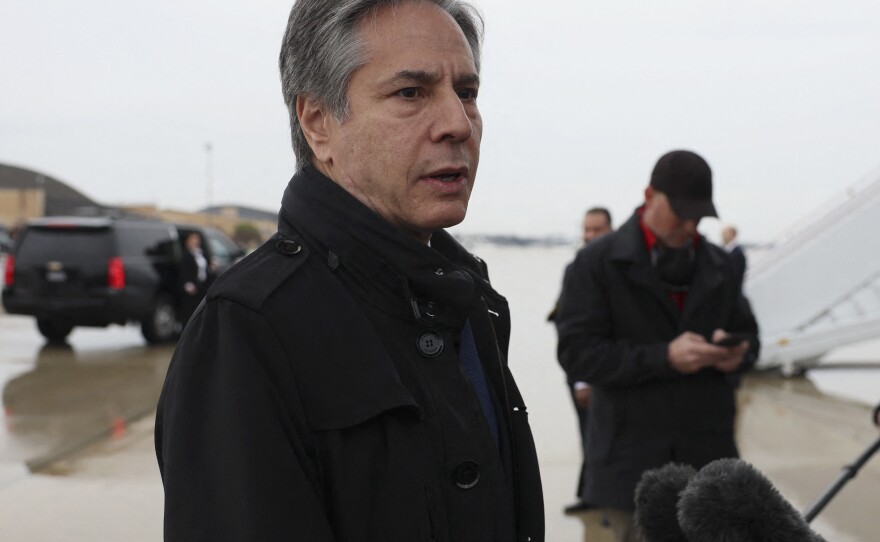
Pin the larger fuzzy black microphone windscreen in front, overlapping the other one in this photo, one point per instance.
(731, 501)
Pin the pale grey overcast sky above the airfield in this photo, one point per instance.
(579, 99)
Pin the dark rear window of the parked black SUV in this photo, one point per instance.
(65, 244)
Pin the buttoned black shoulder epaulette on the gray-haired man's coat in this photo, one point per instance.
(252, 280)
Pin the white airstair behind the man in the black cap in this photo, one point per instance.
(818, 287)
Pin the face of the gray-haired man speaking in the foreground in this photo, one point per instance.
(410, 147)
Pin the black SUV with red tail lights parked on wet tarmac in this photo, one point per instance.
(99, 271)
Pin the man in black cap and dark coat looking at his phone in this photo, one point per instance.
(652, 317)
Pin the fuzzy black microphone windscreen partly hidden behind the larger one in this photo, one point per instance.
(656, 500)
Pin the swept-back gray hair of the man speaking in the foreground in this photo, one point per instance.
(323, 47)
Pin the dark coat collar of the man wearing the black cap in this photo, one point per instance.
(628, 249)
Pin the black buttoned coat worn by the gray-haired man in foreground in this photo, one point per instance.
(307, 399)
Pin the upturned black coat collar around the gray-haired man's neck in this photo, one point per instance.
(377, 257)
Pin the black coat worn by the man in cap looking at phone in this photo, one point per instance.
(615, 323)
